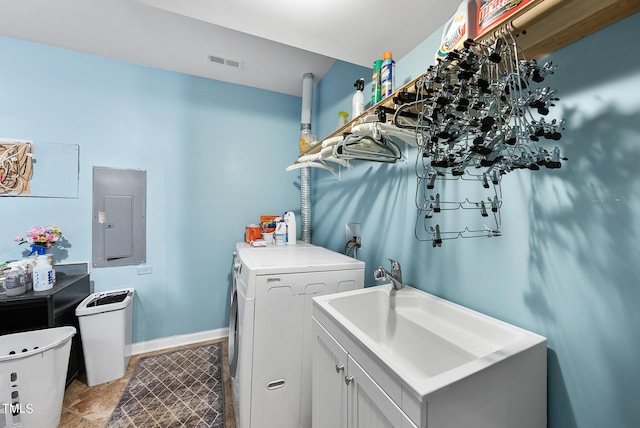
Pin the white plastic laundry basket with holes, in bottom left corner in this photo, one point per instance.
(33, 372)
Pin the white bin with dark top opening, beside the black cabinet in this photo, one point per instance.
(105, 320)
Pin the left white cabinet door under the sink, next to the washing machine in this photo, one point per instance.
(329, 403)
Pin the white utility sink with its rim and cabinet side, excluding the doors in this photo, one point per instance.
(440, 352)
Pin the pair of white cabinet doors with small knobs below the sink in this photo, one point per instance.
(344, 395)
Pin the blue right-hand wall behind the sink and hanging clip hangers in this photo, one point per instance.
(566, 266)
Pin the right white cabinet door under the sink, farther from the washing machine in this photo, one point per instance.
(369, 406)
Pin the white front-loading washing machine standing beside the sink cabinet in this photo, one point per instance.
(270, 328)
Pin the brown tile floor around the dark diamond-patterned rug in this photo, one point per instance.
(91, 407)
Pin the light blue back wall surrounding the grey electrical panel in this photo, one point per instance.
(215, 156)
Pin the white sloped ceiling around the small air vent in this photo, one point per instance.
(277, 41)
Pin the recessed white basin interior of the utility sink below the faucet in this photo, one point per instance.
(412, 328)
